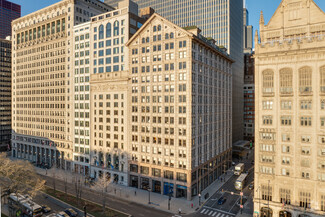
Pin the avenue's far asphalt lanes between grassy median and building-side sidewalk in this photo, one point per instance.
(134, 209)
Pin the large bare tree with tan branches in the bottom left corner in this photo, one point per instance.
(19, 176)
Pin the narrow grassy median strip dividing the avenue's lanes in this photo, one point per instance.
(92, 208)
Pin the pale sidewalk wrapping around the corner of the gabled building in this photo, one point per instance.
(159, 201)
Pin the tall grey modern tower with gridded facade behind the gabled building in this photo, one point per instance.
(221, 20)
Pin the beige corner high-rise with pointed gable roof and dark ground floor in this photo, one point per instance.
(180, 109)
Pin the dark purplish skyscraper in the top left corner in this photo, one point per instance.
(8, 12)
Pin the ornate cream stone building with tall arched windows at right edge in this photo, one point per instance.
(290, 112)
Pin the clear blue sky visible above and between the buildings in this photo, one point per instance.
(254, 7)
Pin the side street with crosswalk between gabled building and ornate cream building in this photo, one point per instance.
(230, 208)
